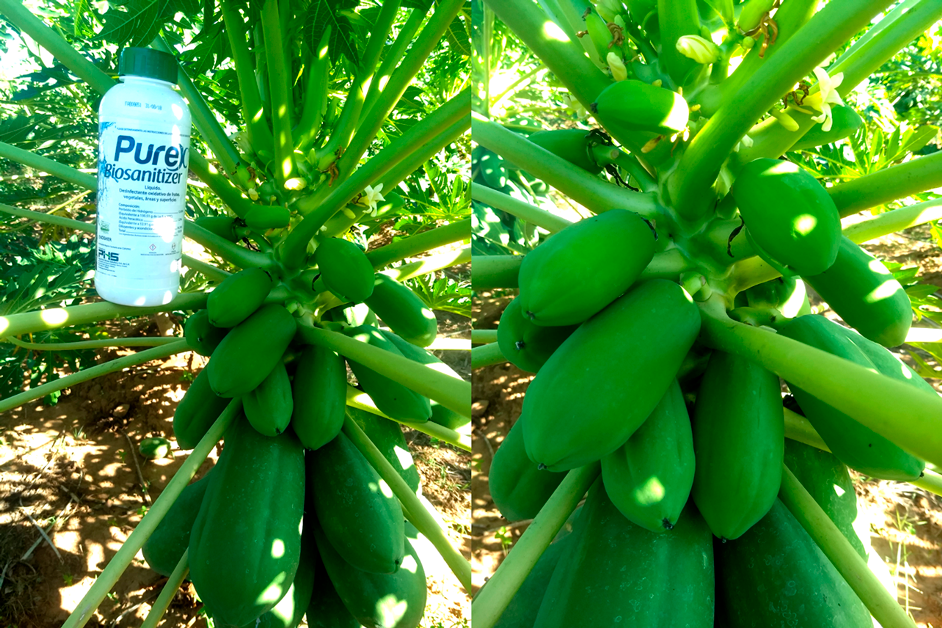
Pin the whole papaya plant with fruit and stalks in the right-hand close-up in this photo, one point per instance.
(662, 326)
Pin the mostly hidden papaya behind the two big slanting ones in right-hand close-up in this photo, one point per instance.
(526, 345)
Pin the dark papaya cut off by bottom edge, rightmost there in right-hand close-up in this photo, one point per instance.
(775, 576)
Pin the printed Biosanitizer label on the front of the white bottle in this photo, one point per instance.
(142, 170)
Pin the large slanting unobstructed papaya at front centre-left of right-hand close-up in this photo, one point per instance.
(656, 324)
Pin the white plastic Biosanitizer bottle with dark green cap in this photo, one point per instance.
(143, 155)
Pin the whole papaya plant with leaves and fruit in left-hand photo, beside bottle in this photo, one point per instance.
(308, 117)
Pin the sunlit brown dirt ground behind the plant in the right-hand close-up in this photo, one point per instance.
(905, 522)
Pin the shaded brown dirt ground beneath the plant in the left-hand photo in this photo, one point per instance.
(71, 494)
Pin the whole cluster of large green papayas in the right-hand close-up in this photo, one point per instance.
(691, 441)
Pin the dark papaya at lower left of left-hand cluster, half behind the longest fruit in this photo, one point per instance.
(171, 537)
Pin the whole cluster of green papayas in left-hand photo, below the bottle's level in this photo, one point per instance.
(293, 519)
